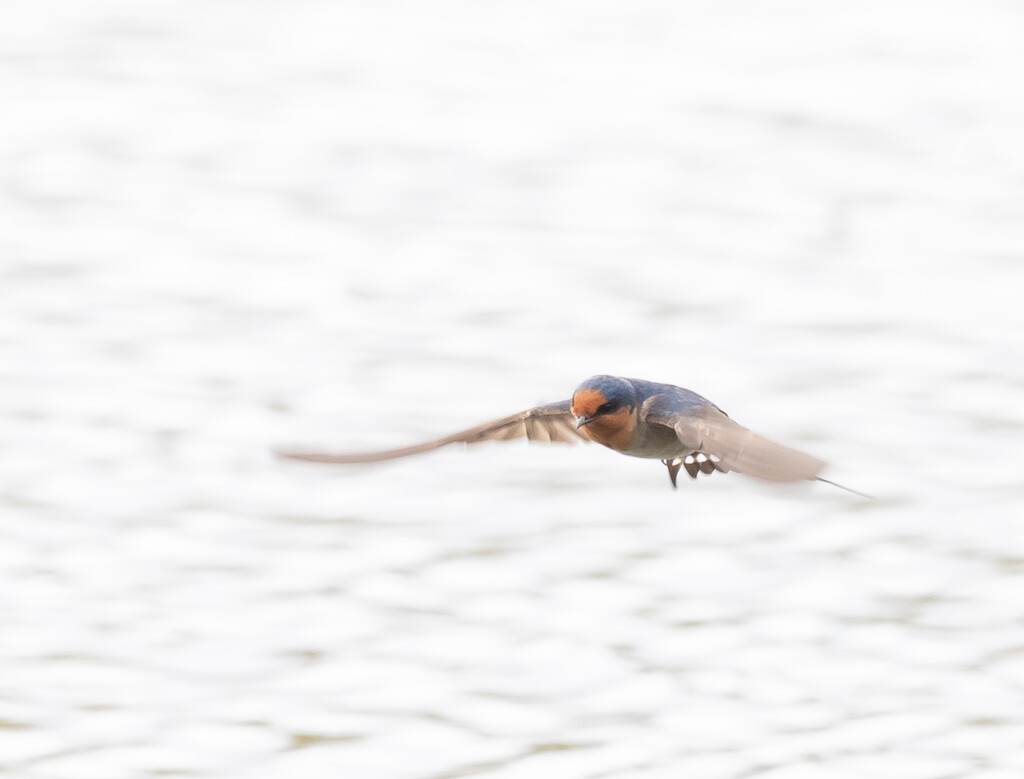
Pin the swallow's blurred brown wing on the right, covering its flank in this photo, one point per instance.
(706, 429)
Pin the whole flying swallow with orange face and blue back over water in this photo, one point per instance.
(632, 417)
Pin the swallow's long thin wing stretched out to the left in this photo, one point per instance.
(546, 423)
